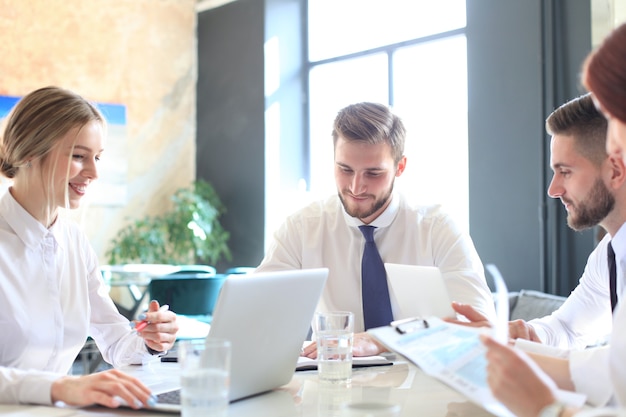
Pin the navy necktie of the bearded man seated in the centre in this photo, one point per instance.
(374, 290)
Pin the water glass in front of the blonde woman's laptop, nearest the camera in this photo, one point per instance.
(204, 377)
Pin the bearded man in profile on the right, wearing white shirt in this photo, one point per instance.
(592, 186)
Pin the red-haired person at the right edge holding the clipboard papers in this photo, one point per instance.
(513, 379)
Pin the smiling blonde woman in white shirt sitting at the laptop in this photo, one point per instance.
(51, 290)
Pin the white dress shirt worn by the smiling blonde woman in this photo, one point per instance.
(52, 297)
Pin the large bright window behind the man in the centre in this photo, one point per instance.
(410, 54)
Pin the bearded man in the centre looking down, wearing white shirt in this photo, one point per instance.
(369, 155)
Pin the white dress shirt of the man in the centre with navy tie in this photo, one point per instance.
(324, 235)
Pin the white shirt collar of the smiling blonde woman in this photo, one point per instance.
(25, 226)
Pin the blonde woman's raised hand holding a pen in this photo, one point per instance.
(157, 327)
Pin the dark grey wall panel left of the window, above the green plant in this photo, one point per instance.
(230, 116)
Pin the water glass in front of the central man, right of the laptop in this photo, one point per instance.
(334, 332)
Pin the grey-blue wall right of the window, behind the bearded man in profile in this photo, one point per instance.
(523, 58)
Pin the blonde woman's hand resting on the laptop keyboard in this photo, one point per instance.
(106, 388)
